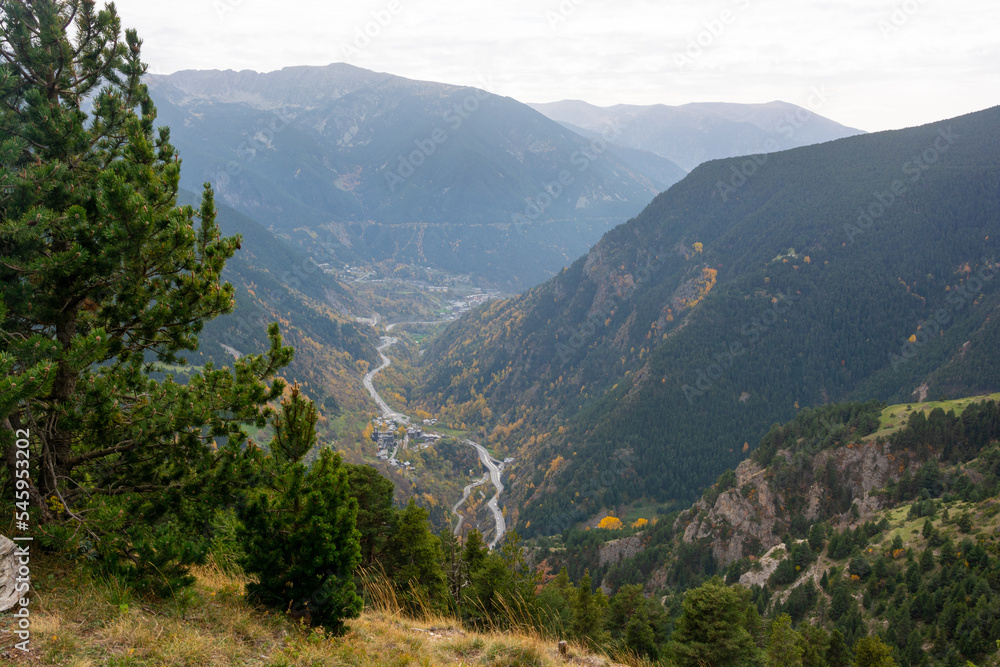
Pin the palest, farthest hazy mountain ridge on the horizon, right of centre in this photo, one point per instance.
(694, 133)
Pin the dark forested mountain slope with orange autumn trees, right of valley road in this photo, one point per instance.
(864, 268)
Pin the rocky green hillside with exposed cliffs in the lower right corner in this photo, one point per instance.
(842, 529)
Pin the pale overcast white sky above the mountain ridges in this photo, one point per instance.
(885, 64)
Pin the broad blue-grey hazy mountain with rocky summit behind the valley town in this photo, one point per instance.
(357, 165)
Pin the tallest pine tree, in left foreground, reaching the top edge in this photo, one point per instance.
(103, 277)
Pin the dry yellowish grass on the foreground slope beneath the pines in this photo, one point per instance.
(81, 621)
